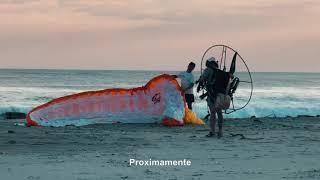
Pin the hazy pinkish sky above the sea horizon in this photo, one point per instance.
(271, 35)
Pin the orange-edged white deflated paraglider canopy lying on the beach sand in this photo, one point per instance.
(159, 101)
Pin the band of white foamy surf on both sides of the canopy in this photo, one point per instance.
(276, 101)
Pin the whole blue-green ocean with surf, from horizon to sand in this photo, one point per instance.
(274, 94)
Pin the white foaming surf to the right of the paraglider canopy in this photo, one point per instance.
(278, 101)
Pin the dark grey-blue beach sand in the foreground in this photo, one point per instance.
(270, 148)
